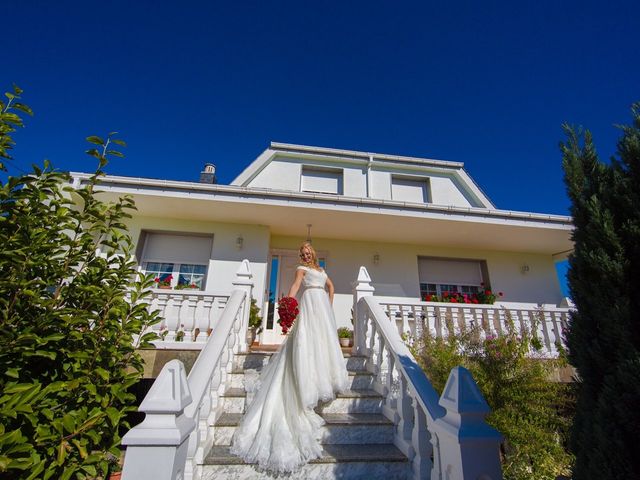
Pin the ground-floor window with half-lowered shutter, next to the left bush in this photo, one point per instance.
(177, 261)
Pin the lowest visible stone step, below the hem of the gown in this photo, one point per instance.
(353, 462)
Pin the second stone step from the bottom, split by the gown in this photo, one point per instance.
(340, 428)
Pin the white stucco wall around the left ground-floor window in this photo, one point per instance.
(226, 258)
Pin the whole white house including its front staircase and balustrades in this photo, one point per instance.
(417, 227)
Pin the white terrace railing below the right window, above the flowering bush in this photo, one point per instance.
(414, 318)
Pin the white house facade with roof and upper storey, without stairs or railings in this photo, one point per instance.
(421, 227)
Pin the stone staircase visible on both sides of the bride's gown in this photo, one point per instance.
(357, 439)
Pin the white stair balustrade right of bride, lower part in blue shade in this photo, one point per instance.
(425, 425)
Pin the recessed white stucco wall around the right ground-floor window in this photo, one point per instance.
(397, 271)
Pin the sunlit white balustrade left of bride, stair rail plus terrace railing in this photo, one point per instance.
(187, 408)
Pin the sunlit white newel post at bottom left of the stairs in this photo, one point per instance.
(157, 447)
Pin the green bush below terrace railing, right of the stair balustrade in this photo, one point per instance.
(527, 408)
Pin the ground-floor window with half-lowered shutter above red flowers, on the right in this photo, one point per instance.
(438, 276)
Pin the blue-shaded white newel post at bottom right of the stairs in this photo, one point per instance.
(465, 445)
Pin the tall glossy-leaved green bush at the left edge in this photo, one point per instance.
(70, 308)
